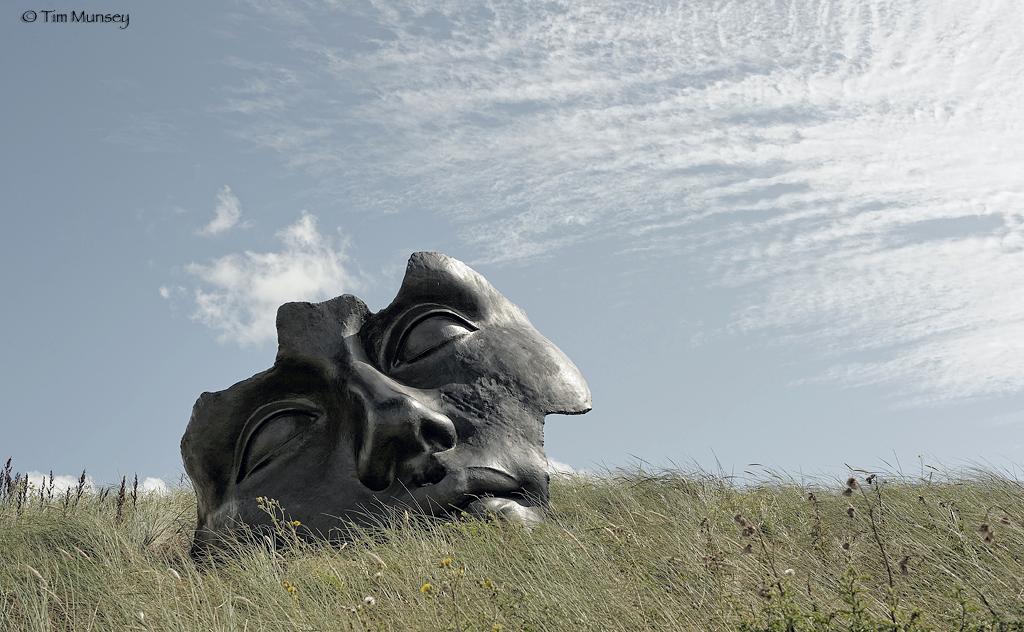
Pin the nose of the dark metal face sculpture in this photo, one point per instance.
(398, 435)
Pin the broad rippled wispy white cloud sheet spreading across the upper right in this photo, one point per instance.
(850, 168)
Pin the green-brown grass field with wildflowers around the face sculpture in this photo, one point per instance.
(623, 552)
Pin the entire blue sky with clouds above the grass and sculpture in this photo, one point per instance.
(788, 233)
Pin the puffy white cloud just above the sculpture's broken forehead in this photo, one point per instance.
(240, 293)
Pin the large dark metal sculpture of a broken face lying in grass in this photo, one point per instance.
(435, 404)
